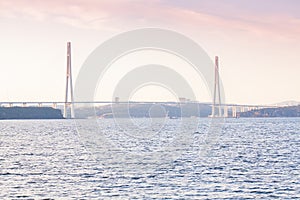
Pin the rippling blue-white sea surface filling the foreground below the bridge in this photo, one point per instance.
(173, 159)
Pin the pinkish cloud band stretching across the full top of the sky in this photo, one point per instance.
(120, 14)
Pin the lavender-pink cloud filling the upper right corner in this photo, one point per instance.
(266, 18)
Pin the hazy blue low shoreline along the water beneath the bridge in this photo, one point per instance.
(141, 111)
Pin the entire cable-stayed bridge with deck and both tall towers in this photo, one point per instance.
(218, 108)
